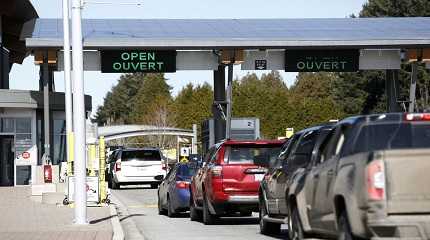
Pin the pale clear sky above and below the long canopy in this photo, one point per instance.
(26, 76)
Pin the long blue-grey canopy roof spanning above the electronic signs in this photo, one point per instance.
(237, 33)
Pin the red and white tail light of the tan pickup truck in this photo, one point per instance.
(376, 180)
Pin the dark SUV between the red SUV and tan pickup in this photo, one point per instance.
(296, 153)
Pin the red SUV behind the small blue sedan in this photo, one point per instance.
(229, 179)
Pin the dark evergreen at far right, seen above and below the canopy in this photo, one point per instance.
(363, 92)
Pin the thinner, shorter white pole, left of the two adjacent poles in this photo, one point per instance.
(67, 84)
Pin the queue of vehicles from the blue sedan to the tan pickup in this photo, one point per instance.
(365, 177)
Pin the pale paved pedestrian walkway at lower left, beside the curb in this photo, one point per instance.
(21, 218)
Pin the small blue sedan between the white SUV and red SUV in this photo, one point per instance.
(174, 191)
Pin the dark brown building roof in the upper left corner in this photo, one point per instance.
(14, 14)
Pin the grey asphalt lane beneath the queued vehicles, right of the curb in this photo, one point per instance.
(137, 206)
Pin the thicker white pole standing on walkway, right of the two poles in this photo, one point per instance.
(79, 116)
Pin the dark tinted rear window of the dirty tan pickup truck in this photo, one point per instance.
(393, 136)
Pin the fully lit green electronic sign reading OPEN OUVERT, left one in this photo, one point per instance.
(132, 61)
